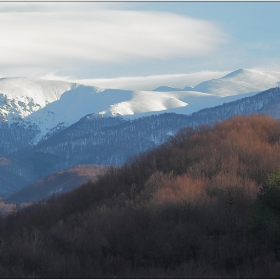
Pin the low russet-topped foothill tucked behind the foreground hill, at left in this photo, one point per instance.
(56, 183)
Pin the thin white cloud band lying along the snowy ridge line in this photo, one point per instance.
(145, 83)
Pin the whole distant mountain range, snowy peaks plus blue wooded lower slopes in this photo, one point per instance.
(49, 126)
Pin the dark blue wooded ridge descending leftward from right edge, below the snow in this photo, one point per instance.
(113, 144)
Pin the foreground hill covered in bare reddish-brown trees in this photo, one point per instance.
(205, 204)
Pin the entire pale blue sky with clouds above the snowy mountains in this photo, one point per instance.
(137, 45)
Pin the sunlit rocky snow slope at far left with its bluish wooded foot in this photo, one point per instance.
(20, 97)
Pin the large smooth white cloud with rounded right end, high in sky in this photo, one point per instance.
(57, 40)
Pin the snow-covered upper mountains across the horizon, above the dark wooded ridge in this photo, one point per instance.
(34, 108)
